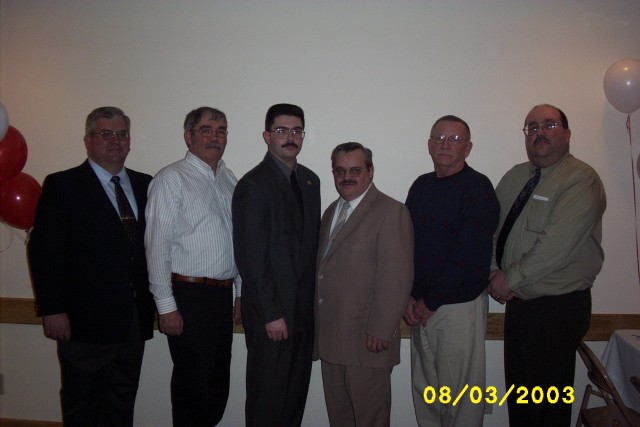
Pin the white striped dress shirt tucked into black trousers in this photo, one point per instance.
(189, 229)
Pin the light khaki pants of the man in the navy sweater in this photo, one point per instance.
(450, 352)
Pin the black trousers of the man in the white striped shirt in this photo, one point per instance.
(201, 355)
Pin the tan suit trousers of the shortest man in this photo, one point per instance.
(357, 396)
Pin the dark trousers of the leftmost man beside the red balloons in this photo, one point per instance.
(100, 381)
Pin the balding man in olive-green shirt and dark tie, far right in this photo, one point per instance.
(547, 255)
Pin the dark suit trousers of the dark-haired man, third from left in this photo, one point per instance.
(278, 375)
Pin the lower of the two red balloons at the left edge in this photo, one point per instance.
(18, 201)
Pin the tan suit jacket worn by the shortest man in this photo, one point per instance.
(363, 282)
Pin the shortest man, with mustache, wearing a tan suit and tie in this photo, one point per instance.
(364, 277)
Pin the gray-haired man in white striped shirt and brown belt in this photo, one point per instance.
(191, 269)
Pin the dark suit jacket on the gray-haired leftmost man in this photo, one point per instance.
(82, 262)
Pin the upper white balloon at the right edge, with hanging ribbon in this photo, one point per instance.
(622, 85)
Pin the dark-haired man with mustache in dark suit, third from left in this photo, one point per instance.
(276, 216)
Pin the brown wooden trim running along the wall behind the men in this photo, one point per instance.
(22, 311)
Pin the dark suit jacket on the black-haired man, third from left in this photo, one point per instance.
(275, 247)
